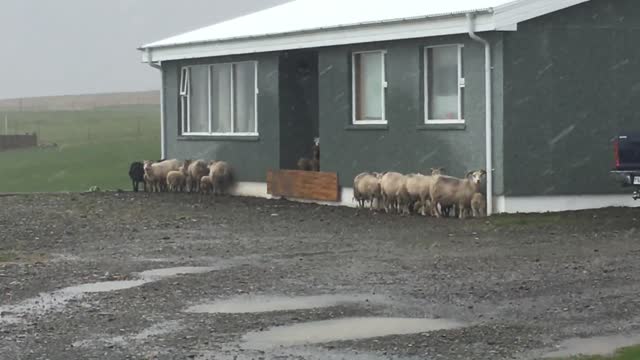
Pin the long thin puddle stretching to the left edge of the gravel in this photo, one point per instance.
(55, 300)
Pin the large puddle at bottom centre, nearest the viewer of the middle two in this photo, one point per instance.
(343, 329)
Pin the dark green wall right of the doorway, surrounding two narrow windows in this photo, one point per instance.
(405, 144)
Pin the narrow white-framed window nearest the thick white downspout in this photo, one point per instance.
(444, 85)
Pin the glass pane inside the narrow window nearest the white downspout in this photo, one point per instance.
(443, 85)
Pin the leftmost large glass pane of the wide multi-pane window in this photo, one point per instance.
(199, 99)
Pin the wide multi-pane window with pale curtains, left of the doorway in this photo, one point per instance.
(219, 99)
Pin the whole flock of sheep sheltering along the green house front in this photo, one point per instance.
(436, 194)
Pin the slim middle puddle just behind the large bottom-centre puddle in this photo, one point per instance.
(259, 304)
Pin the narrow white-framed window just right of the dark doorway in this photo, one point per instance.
(368, 82)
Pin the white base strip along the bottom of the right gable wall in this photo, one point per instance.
(541, 204)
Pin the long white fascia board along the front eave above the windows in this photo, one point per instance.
(450, 25)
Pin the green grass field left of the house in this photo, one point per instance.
(95, 148)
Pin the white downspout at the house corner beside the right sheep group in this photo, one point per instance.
(488, 111)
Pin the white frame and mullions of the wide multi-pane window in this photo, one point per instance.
(185, 98)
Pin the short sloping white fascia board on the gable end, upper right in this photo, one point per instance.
(522, 10)
